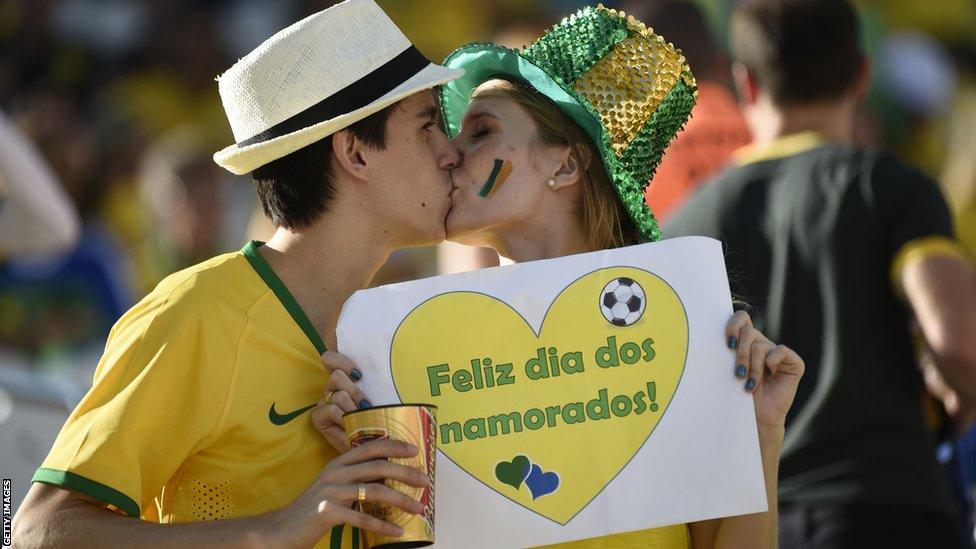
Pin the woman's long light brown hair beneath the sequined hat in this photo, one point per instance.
(605, 221)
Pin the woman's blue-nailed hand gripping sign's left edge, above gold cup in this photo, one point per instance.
(340, 396)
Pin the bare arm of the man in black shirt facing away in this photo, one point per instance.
(941, 290)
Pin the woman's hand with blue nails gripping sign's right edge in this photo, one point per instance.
(771, 372)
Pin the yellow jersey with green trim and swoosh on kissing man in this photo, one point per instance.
(199, 407)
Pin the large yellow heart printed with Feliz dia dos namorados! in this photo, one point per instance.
(582, 395)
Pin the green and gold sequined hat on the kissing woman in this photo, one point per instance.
(624, 85)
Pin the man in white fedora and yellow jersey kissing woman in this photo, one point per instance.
(199, 409)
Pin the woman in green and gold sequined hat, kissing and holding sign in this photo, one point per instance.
(558, 142)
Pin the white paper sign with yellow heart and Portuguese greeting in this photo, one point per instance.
(577, 397)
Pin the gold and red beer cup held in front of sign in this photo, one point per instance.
(415, 424)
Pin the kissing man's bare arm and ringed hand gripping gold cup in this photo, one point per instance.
(54, 517)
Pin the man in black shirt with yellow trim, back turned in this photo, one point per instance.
(835, 247)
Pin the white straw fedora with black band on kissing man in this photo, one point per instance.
(317, 77)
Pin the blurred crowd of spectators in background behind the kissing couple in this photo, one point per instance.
(119, 99)
